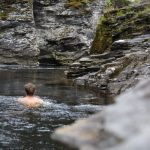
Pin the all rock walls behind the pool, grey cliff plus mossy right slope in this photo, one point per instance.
(62, 32)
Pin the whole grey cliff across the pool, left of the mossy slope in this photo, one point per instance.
(47, 31)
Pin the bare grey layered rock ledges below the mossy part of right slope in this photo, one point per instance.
(120, 68)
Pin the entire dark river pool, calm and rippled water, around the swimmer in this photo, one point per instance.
(26, 129)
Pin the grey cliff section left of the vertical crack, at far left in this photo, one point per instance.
(17, 33)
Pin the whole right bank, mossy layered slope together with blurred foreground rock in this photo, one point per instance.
(119, 59)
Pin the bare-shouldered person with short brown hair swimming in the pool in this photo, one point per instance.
(30, 101)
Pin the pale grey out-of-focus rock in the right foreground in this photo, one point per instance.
(121, 126)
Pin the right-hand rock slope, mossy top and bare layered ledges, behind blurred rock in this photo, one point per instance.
(125, 60)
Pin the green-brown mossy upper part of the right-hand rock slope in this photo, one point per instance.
(121, 23)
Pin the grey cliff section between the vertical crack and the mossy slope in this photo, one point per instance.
(65, 28)
